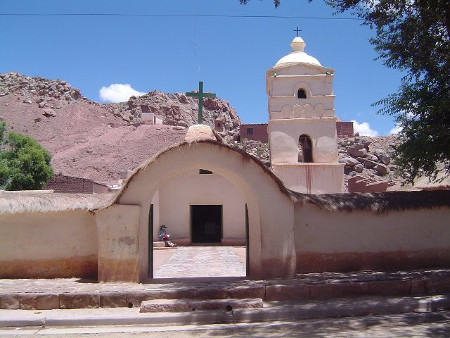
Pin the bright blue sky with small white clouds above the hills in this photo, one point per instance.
(111, 49)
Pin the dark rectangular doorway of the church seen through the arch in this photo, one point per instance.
(206, 223)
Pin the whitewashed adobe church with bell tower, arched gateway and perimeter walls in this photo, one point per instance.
(208, 192)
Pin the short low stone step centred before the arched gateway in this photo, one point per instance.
(187, 305)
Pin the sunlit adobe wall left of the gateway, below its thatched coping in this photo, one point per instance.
(48, 245)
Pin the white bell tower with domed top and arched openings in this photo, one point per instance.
(302, 125)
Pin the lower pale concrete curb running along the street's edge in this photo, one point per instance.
(272, 311)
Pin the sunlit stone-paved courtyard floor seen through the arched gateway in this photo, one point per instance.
(199, 261)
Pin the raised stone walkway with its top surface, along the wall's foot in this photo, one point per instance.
(70, 294)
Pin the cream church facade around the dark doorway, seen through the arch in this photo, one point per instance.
(190, 188)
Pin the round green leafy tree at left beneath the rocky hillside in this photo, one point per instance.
(24, 164)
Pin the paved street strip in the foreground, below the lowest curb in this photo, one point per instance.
(433, 324)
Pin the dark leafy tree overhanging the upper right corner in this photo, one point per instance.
(413, 36)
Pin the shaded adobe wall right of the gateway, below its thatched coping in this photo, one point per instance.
(363, 240)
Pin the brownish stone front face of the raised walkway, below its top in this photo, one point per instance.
(293, 290)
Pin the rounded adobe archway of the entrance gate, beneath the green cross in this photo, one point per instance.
(125, 224)
